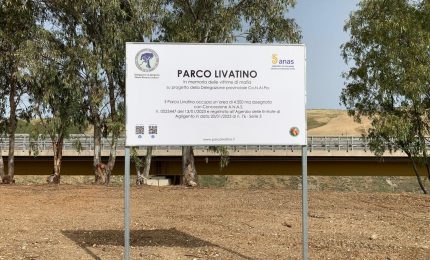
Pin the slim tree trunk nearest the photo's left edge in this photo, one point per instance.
(9, 178)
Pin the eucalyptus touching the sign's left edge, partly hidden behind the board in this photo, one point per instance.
(118, 23)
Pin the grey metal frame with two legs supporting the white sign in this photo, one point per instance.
(304, 195)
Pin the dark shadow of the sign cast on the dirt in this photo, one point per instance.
(157, 237)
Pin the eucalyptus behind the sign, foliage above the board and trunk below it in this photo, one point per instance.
(221, 21)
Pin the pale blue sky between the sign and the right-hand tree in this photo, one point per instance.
(322, 24)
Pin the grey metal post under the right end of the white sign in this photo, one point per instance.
(305, 200)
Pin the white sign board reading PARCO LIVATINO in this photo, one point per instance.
(211, 94)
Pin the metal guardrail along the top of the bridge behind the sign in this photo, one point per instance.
(86, 143)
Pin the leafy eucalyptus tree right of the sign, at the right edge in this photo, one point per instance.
(389, 79)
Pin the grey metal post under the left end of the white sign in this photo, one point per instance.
(127, 205)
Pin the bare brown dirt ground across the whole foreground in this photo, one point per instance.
(86, 222)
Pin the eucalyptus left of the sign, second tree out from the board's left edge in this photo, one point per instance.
(71, 18)
